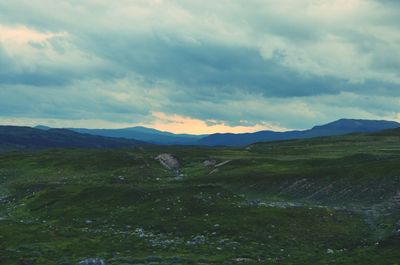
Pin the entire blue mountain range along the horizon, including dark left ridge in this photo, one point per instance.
(18, 137)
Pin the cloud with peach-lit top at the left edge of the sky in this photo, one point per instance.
(45, 58)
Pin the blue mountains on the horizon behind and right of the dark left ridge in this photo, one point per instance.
(339, 127)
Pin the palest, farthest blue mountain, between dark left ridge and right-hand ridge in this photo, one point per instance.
(140, 133)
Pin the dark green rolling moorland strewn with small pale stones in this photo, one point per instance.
(322, 201)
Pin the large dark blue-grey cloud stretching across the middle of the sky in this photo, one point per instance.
(203, 67)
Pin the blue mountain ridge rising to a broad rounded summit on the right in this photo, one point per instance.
(339, 127)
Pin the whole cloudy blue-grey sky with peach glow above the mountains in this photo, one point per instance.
(198, 67)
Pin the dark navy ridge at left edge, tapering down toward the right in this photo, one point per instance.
(16, 137)
